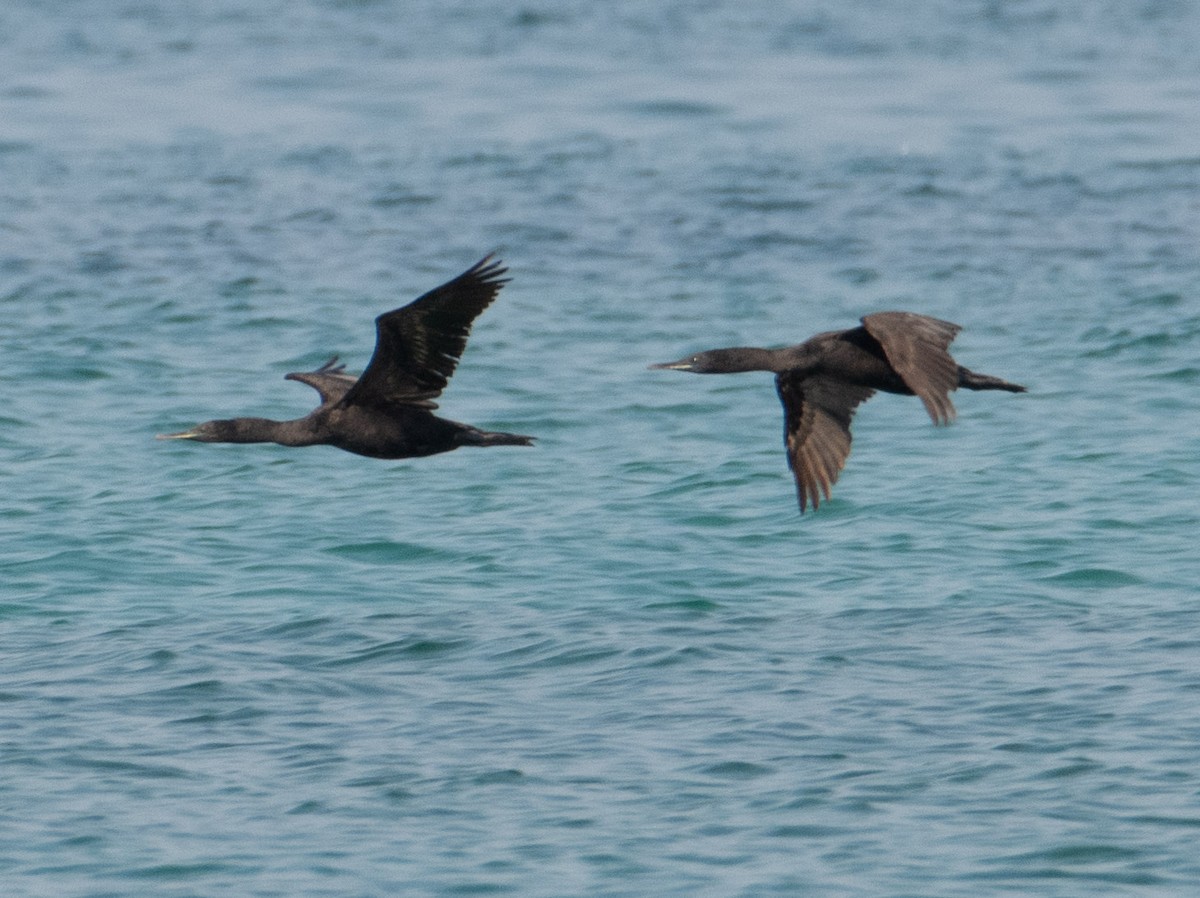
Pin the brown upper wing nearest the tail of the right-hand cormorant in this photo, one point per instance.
(917, 348)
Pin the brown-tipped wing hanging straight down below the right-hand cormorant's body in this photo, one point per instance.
(817, 430)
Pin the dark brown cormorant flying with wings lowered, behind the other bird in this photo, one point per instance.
(824, 380)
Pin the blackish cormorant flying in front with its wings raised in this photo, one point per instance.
(387, 411)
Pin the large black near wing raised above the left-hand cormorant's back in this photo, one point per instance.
(418, 346)
